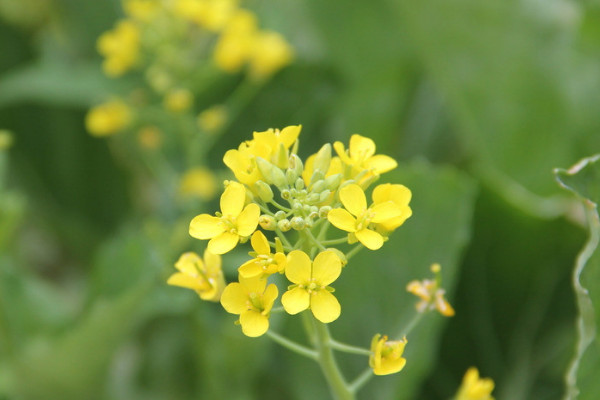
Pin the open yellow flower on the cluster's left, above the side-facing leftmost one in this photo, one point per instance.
(234, 222)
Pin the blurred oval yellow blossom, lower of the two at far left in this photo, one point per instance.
(108, 118)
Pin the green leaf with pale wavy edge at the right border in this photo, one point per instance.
(583, 179)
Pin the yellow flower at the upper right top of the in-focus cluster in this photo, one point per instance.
(360, 160)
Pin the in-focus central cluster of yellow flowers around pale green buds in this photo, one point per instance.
(296, 203)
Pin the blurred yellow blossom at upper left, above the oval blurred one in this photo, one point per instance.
(120, 48)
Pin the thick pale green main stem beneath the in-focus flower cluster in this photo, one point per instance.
(326, 359)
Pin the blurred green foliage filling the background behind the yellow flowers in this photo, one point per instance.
(477, 100)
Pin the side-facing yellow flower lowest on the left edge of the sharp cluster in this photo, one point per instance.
(205, 277)
